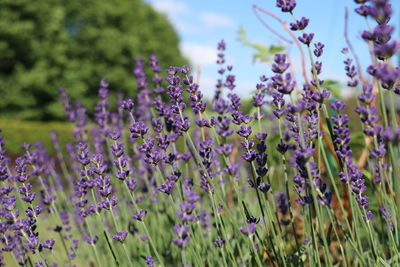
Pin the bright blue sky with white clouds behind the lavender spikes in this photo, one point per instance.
(202, 23)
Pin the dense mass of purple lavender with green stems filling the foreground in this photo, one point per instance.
(170, 179)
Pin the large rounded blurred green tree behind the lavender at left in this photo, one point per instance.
(46, 44)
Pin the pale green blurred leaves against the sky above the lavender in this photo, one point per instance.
(262, 52)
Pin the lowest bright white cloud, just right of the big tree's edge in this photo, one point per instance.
(199, 54)
